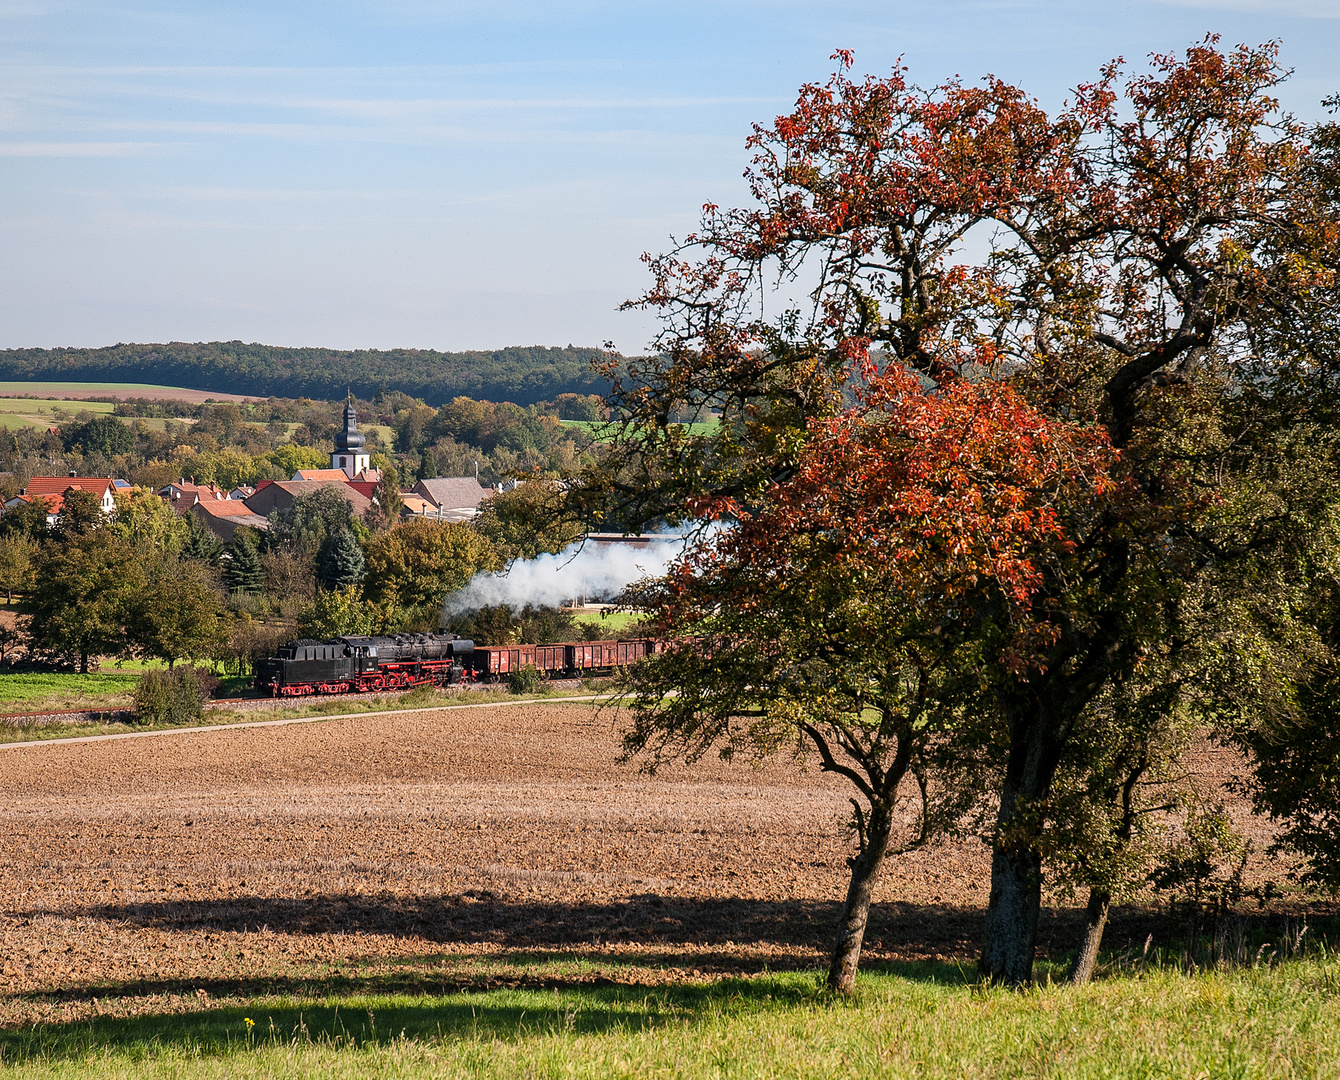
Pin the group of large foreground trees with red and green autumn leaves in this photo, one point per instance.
(1020, 527)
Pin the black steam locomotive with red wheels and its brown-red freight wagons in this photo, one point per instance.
(404, 661)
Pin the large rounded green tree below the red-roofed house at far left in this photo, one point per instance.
(89, 589)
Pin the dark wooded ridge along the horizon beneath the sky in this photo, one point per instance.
(525, 376)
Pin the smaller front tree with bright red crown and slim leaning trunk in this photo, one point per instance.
(850, 610)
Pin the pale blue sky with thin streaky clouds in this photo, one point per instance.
(459, 174)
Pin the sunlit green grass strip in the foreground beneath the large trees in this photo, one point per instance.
(907, 1022)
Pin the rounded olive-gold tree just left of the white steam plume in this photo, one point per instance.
(417, 563)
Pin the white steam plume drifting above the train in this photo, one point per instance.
(596, 571)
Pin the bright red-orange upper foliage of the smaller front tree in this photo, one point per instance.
(945, 499)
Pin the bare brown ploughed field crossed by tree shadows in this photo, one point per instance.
(433, 852)
